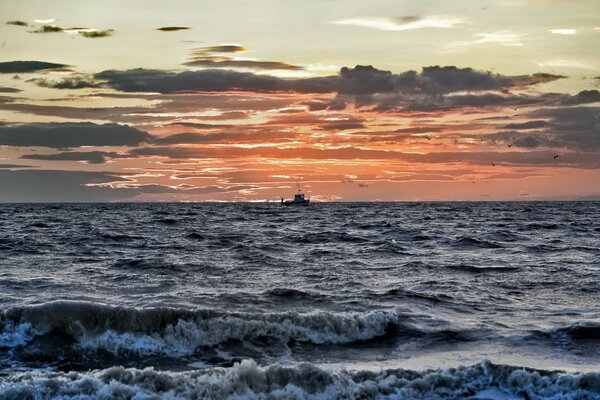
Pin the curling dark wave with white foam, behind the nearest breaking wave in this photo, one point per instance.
(179, 332)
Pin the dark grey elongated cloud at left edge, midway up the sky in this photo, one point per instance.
(65, 135)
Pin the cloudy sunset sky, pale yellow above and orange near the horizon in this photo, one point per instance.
(352, 100)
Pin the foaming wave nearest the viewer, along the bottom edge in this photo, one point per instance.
(307, 381)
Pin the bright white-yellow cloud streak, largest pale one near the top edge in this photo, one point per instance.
(403, 23)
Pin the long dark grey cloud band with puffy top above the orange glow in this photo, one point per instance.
(360, 80)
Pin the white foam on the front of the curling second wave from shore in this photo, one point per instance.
(184, 337)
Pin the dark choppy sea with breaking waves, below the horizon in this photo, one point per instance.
(345, 301)
